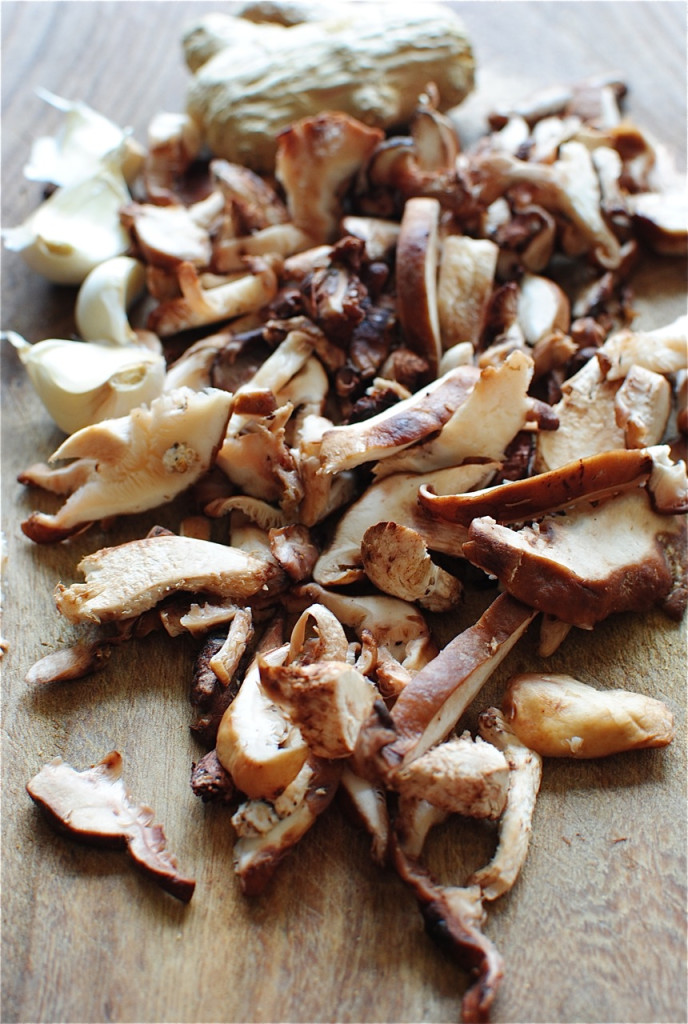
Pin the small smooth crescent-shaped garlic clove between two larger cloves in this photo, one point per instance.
(105, 298)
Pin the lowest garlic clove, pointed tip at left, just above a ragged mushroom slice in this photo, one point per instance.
(83, 383)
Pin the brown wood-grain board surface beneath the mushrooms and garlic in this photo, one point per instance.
(595, 929)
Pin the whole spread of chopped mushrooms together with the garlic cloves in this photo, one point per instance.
(394, 369)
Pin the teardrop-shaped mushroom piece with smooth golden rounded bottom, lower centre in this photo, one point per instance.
(257, 743)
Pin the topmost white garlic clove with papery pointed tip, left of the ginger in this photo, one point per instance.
(85, 140)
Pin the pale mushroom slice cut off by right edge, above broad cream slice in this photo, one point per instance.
(665, 351)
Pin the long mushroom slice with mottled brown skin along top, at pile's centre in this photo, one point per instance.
(409, 421)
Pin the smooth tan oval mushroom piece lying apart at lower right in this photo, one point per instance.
(560, 716)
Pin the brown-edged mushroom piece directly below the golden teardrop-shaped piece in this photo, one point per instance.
(268, 832)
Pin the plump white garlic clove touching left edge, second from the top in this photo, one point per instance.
(75, 230)
